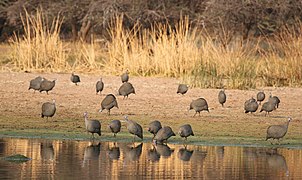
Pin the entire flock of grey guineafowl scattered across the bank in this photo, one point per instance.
(160, 134)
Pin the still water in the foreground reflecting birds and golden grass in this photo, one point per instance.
(66, 159)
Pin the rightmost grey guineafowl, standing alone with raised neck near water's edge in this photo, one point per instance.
(277, 131)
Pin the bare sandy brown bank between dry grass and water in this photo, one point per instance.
(155, 98)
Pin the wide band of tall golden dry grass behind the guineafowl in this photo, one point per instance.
(182, 52)
